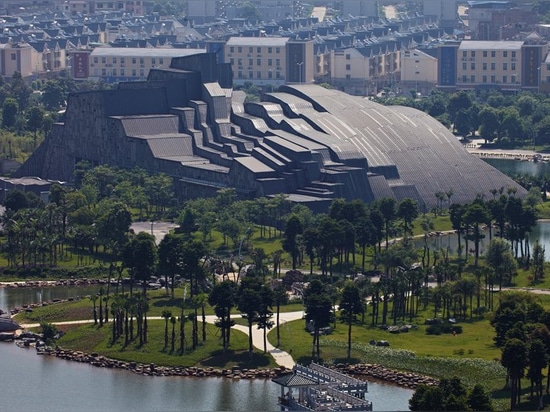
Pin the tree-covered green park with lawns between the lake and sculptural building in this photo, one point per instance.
(357, 276)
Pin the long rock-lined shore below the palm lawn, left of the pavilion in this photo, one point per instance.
(99, 361)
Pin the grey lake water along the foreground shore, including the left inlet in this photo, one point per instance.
(33, 382)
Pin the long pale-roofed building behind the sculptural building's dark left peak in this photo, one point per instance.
(114, 64)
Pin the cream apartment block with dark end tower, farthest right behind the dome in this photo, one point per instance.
(489, 64)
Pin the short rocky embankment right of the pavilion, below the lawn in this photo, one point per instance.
(403, 379)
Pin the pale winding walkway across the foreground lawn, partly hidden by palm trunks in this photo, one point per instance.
(281, 357)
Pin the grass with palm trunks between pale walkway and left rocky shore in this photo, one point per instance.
(92, 338)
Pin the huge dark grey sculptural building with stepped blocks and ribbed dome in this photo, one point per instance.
(309, 142)
